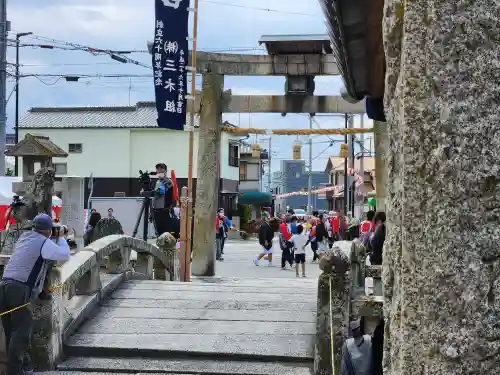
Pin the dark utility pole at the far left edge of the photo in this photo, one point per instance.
(4, 28)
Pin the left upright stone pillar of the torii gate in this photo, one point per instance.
(207, 182)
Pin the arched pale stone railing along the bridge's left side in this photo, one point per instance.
(89, 276)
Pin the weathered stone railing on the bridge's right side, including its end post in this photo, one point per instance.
(347, 290)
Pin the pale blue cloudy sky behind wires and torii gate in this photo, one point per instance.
(127, 25)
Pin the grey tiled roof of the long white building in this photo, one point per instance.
(142, 115)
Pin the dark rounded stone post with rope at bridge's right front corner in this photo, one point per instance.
(334, 296)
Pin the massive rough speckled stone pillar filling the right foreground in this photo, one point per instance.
(441, 258)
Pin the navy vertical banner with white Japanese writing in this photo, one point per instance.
(170, 57)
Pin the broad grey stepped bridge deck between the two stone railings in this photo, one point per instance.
(230, 326)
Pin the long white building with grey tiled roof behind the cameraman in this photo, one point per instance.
(113, 143)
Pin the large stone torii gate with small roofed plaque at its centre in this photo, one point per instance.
(299, 59)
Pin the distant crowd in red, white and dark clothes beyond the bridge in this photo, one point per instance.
(318, 233)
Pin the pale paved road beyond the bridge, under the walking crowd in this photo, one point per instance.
(238, 262)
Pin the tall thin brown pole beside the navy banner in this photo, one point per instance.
(192, 114)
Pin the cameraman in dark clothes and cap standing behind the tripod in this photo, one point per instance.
(164, 203)
